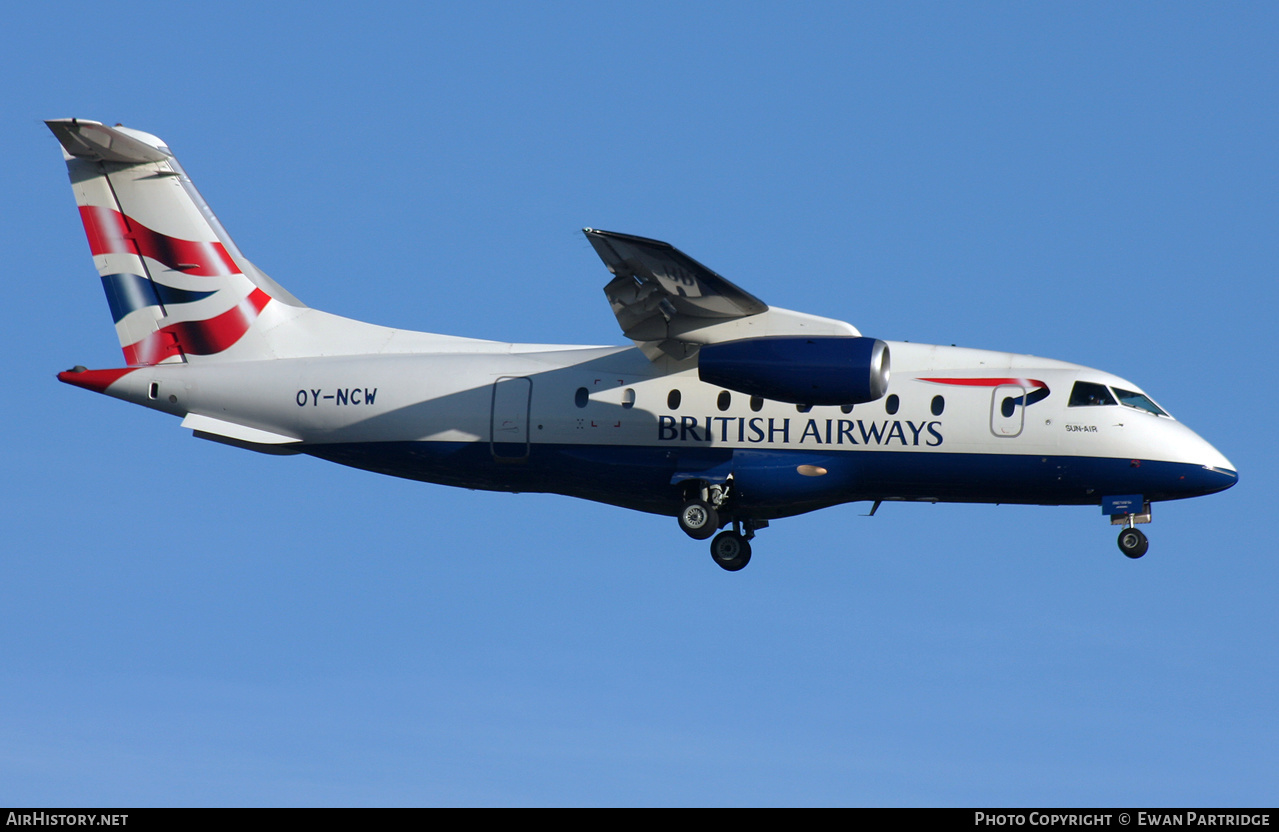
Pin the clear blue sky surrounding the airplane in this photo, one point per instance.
(186, 624)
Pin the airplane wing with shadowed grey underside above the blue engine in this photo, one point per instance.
(668, 304)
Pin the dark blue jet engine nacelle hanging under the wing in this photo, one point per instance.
(817, 371)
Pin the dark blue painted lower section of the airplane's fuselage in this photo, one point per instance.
(768, 484)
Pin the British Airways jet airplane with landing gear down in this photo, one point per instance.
(726, 413)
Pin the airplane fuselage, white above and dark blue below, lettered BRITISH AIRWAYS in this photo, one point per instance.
(507, 416)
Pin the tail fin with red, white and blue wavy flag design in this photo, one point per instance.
(178, 288)
